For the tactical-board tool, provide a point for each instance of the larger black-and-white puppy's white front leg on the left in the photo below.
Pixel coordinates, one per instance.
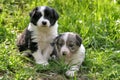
(39, 58)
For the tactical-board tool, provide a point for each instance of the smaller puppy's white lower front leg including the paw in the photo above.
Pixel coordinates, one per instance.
(72, 71)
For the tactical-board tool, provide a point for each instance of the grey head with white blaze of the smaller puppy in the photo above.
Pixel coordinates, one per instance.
(67, 44)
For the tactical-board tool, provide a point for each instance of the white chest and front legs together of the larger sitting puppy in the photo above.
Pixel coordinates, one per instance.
(43, 36)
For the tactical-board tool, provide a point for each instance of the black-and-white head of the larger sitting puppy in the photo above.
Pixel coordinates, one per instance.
(43, 16)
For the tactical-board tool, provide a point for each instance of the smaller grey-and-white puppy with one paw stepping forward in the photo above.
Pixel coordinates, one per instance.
(70, 48)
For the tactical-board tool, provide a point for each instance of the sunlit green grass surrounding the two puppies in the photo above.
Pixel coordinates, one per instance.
(97, 21)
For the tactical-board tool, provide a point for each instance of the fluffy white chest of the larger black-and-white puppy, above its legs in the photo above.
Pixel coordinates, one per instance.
(43, 35)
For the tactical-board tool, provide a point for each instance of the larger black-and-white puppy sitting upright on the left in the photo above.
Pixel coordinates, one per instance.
(40, 33)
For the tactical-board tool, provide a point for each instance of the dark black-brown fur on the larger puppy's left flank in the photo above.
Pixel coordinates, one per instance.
(25, 42)
